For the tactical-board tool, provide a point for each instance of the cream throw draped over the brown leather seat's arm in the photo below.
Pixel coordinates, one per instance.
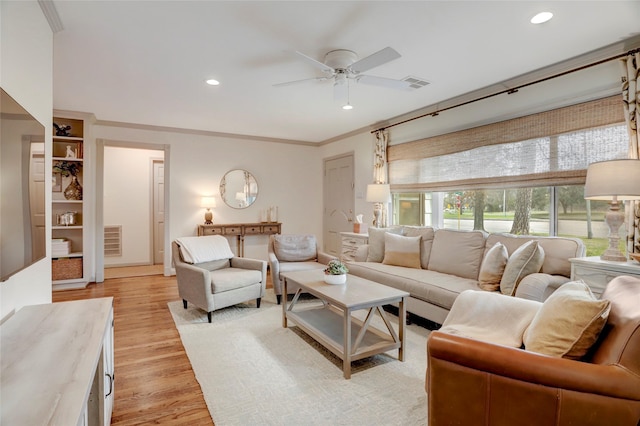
(490, 317)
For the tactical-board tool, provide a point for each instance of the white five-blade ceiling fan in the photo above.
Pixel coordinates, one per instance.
(343, 65)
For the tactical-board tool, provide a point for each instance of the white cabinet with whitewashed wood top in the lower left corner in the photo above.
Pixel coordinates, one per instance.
(56, 364)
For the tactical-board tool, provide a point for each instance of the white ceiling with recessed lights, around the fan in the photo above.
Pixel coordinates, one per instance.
(146, 62)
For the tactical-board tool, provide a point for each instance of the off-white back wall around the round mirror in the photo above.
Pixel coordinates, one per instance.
(289, 176)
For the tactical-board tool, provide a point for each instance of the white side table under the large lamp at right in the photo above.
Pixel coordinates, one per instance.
(597, 272)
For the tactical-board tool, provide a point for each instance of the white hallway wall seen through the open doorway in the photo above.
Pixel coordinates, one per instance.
(127, 201)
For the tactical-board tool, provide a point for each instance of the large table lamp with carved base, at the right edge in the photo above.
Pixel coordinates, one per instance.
(613, 181)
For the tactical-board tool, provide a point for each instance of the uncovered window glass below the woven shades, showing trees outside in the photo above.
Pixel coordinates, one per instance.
(559, 210)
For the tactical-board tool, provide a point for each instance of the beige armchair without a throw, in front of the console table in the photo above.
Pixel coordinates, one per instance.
(293, 252)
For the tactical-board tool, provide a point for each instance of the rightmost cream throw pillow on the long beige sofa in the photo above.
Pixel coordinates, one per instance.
(527, 259)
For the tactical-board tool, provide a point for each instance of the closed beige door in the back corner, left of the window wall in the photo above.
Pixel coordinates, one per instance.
(339, 201)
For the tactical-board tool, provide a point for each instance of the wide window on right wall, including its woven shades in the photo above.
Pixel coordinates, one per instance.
(523, 175)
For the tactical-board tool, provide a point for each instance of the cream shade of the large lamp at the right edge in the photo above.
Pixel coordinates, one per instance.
(614, 178)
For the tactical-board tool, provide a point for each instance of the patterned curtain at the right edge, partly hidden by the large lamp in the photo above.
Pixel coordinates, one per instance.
(631, 100)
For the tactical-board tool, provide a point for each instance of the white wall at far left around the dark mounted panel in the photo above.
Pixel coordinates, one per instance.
(26, 73)
